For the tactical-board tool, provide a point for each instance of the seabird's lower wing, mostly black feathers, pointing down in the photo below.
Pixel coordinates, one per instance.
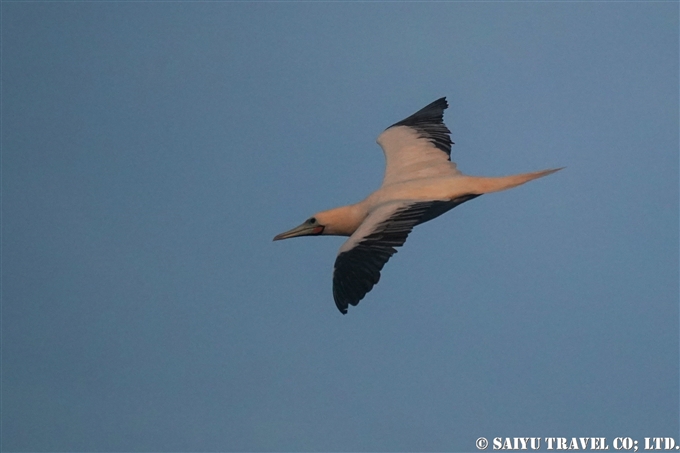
(362, 257)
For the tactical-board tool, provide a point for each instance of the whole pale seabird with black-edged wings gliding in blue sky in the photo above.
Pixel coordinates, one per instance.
(420, 183)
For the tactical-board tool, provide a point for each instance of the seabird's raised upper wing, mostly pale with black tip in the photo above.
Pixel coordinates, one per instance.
(418, 146)
